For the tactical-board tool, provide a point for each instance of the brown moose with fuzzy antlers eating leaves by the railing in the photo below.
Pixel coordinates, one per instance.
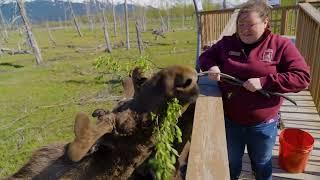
(121, 139)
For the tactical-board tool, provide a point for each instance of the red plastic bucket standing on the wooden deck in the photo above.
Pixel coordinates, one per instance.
(295, 147)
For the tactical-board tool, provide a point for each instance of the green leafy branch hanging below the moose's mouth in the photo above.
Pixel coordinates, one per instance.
(165, 134)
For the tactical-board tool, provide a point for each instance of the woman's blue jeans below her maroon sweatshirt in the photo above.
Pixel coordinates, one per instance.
(259, 139)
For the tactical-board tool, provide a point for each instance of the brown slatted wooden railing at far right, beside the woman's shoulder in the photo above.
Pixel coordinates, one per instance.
(308, 42)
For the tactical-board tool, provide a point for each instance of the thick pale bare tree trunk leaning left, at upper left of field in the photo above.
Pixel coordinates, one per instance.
(30, 36)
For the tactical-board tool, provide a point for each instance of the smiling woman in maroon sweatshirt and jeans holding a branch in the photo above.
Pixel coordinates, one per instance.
(264, 61)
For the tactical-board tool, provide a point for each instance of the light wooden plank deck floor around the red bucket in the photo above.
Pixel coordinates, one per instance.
(305, 117)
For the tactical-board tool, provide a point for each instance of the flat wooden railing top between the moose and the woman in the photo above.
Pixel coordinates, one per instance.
(208, 157)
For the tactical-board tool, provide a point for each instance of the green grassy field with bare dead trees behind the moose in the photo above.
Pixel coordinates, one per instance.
(38, 103)
